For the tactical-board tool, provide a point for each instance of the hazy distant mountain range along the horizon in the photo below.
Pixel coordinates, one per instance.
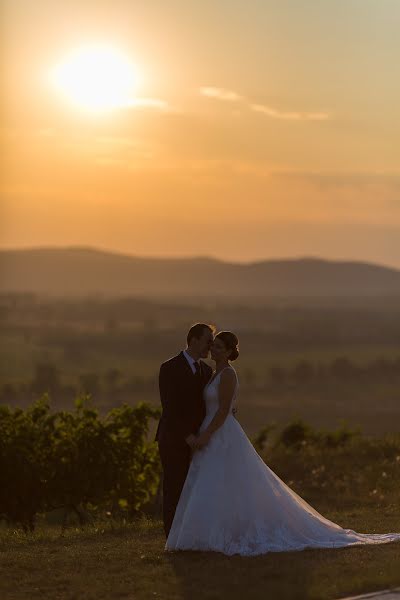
(81, 271)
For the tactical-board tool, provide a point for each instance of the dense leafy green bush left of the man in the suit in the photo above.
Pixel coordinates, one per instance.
(75, 460)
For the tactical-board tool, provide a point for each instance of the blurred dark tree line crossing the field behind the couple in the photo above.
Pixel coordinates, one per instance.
(116, 384)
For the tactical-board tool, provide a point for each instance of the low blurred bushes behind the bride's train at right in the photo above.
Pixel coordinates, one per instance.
(336, 467)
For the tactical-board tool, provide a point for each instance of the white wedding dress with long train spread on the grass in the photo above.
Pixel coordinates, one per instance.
(233, 503)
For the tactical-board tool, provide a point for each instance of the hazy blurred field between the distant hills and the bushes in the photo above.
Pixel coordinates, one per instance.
(319, 359)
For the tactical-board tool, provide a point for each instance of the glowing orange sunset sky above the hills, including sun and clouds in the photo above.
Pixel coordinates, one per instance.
(237, 129)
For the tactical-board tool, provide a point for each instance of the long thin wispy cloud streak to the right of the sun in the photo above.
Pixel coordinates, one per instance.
(274, 113)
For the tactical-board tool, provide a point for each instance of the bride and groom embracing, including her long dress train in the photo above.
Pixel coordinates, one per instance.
(218, 494)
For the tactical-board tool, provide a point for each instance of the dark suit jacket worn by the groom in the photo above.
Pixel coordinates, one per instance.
(181, 394)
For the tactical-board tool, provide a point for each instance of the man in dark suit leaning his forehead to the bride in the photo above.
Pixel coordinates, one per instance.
(182, 380)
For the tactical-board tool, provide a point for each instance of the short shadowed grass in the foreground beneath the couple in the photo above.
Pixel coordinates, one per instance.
(110, 561)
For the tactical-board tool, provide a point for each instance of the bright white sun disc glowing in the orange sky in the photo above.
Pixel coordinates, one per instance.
(97, 78)
